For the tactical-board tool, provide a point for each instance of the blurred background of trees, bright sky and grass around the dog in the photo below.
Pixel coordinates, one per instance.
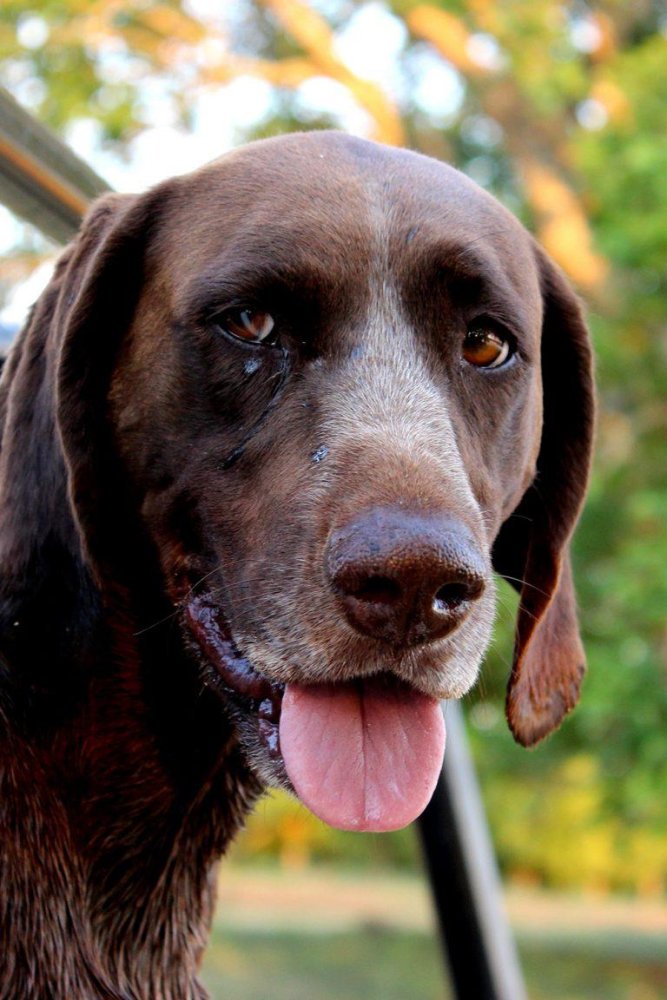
(559, 109)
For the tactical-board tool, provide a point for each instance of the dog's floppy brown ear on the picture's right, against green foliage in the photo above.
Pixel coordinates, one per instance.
(532, 547)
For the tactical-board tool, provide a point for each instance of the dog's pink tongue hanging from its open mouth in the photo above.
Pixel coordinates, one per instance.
(362, 755)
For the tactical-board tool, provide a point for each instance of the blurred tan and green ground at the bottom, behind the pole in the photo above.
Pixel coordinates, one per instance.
(329, 934)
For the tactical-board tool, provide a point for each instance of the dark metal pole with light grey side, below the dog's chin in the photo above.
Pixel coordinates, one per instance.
(460, 861)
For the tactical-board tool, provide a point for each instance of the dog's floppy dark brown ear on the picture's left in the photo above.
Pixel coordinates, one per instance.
(97, 311)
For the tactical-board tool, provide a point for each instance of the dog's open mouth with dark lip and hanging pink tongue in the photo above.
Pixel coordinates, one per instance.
(362, 754)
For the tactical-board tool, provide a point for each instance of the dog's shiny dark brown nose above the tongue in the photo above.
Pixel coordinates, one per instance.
(403, 577)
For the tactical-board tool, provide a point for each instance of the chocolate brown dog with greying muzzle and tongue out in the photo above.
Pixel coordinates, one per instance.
(265, 437)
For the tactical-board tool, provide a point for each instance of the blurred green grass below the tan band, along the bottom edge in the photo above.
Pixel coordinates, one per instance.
(379, 963)
